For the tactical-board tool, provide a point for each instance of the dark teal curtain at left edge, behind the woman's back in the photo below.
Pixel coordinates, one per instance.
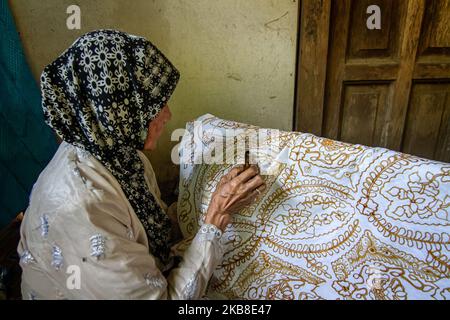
(26, 143)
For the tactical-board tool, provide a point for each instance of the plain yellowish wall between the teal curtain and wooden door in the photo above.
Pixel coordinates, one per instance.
(236, 57)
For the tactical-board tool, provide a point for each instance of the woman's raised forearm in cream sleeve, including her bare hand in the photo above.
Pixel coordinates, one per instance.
(234, 191)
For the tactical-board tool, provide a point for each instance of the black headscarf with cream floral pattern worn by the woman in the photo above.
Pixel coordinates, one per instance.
(100, 95)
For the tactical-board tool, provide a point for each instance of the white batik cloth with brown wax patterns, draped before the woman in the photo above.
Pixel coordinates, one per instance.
(337, 221)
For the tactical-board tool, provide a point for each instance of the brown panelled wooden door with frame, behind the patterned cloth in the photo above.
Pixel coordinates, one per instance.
(387, 87)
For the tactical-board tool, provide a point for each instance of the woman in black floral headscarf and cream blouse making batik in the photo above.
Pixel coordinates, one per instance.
(96, 227)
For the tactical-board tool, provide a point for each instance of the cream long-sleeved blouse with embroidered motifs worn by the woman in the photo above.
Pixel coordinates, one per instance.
(80, 239)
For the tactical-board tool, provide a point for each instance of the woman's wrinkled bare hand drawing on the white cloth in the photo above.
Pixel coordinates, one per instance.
(235, 190)
